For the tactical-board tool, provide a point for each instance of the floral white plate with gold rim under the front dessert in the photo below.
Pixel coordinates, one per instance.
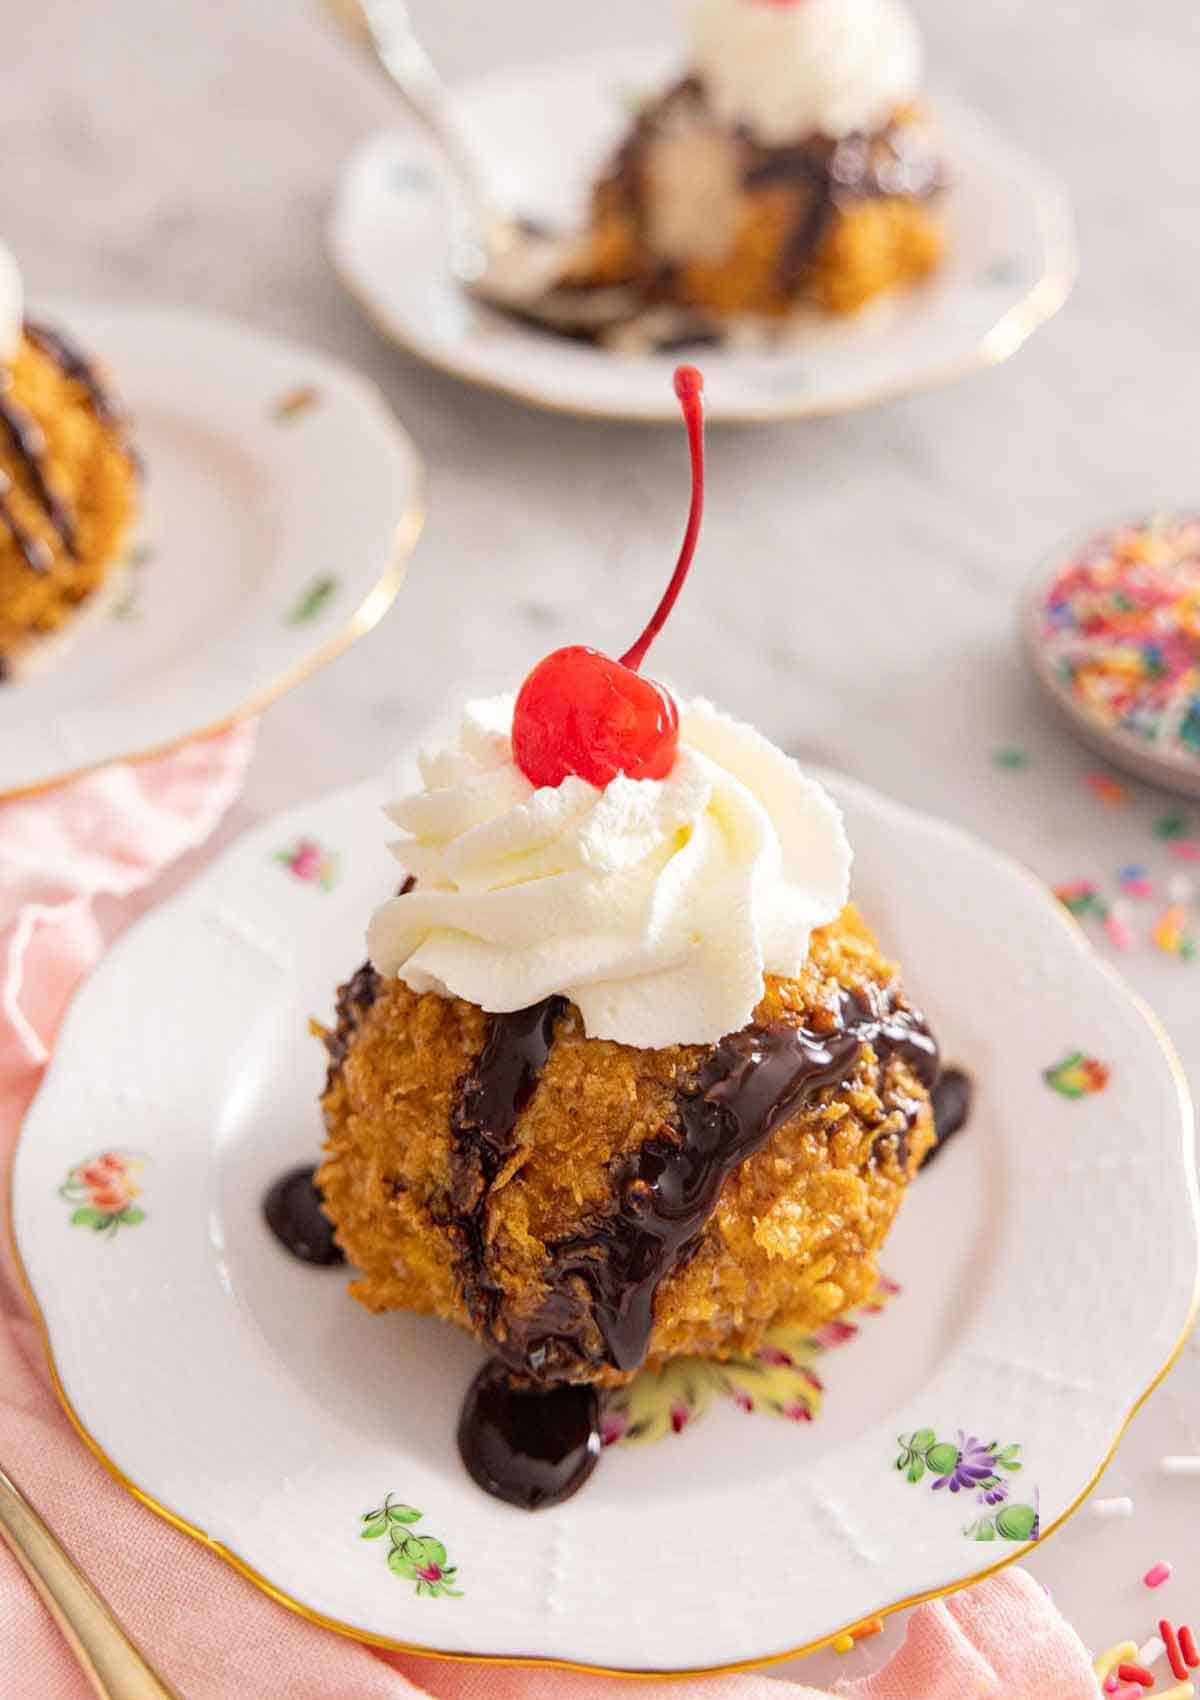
(251, 1402)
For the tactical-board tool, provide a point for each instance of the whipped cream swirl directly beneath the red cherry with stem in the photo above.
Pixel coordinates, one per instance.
(655, 905)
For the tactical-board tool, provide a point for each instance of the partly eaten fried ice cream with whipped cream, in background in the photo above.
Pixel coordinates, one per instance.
(791, 167)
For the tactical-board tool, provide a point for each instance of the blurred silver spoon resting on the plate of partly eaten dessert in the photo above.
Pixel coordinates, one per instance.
(494, 254)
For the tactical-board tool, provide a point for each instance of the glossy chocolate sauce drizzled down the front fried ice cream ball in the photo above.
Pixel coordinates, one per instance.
(599, 1306)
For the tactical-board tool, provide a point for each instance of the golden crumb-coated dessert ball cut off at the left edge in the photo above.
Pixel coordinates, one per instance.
(96, 480)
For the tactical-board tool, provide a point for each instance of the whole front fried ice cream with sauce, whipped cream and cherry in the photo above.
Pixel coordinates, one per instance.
(625, 1077)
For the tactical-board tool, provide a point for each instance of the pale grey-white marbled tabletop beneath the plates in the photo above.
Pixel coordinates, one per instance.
(858, 586)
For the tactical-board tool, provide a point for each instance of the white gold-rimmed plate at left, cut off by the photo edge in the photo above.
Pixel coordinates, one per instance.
(273, 538)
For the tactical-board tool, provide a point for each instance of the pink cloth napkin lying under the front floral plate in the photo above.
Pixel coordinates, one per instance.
(212, 1633)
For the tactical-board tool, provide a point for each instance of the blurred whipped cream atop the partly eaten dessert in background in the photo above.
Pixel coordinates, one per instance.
(788, 69)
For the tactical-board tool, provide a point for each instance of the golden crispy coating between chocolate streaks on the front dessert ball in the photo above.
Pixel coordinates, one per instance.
(793, 1240)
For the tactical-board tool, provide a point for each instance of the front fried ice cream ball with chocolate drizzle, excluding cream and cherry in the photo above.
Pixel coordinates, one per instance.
(586, 1208)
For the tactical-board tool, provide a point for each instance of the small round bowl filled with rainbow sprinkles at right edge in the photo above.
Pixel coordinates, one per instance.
(1123, 630)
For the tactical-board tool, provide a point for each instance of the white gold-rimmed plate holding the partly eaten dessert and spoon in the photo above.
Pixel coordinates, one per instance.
(545, 132)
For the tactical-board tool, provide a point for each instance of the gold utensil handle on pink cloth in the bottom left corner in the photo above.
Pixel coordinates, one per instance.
(110, 1660)
